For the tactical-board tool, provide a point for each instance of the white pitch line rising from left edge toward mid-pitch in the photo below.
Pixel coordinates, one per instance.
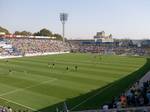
(22, 89)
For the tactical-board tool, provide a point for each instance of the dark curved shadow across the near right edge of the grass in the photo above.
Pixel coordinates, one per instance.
(95, 98)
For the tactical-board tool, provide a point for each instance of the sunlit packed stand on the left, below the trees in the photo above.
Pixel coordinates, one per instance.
(22, 46)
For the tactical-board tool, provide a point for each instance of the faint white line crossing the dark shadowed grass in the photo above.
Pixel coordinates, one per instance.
(89, 98)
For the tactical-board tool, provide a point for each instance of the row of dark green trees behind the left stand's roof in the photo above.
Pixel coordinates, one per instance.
(42, 32)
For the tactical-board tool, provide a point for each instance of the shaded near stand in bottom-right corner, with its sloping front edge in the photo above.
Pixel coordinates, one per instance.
(136, 99)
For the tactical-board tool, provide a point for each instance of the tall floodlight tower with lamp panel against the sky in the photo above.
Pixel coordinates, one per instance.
(63, 19)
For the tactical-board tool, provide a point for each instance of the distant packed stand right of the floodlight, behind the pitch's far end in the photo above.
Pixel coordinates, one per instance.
(117, 48)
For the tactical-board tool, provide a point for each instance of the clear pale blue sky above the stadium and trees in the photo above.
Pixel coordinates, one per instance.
(121, 18)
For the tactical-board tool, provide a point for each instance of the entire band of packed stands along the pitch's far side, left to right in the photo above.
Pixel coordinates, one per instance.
(24, 45)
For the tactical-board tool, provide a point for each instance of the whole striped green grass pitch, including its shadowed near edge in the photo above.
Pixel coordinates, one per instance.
(29, 83)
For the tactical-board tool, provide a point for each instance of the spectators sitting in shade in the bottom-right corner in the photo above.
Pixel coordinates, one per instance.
(138, 95)
